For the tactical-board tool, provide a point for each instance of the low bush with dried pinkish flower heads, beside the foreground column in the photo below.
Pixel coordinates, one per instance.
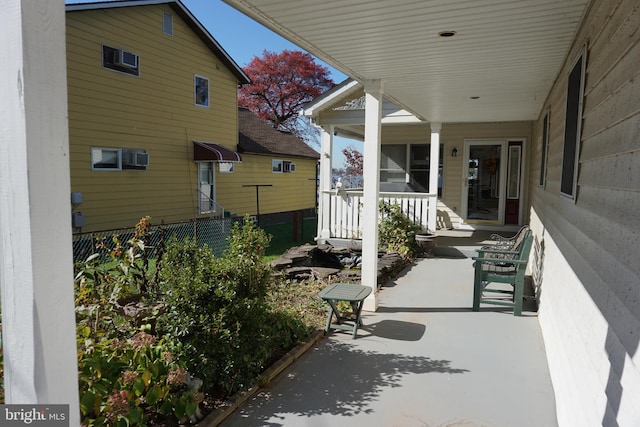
(124, 382)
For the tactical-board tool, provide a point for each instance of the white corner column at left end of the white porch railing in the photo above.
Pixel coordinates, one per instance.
(326, 165)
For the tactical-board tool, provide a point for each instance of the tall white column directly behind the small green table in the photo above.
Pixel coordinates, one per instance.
(371, 174)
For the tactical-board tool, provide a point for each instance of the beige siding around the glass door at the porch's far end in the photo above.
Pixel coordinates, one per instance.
(453, 135)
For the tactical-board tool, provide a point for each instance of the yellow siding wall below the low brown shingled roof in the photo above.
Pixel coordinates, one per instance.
(289, 191)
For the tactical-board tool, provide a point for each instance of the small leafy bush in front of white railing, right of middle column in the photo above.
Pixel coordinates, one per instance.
(396, 232)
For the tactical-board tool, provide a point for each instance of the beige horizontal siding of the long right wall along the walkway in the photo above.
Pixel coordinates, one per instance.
(590, 282)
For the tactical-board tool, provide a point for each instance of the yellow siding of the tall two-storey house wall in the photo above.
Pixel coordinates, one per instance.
(154, 112)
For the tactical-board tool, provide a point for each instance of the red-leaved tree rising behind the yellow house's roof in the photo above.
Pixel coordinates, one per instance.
(281, 83)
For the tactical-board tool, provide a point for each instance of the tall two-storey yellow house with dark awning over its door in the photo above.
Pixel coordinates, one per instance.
(153, 122)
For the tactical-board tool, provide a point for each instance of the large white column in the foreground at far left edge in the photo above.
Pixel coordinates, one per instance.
(36, 262)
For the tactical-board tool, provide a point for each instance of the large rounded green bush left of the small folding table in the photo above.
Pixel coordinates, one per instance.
(217, 309)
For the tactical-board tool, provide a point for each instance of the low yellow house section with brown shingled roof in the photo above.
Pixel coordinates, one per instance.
(280, 163)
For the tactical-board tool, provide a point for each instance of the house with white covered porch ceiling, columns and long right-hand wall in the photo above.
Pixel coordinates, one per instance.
(547, 92)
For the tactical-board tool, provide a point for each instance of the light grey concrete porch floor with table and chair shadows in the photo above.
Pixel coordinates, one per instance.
(423, 359)
